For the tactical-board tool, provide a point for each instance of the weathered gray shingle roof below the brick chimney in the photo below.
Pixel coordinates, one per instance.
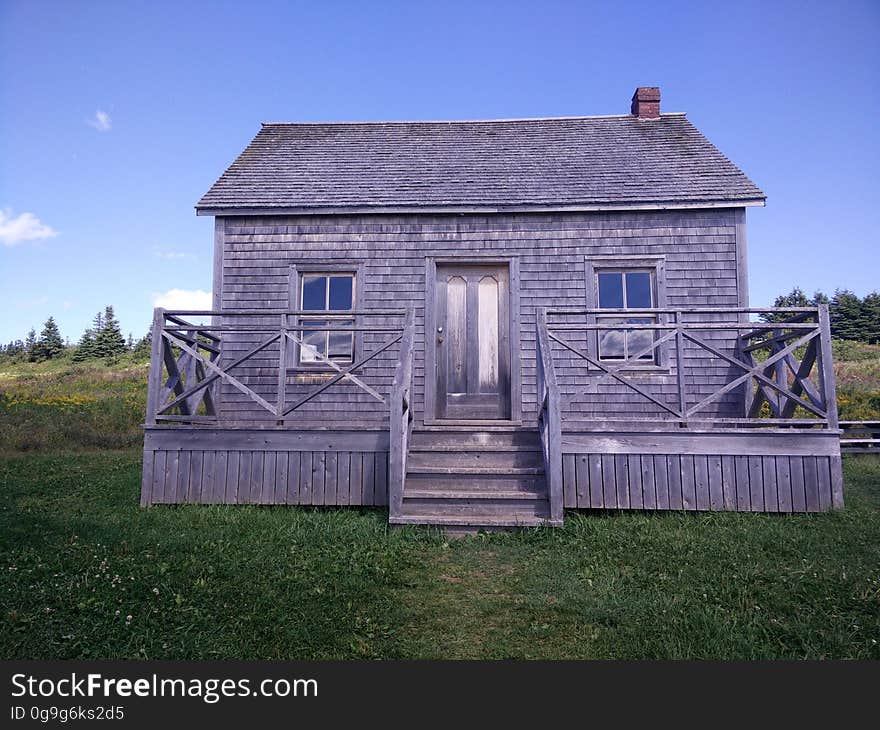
(503, 164)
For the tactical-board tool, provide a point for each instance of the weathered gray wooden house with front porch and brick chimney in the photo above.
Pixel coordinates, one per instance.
(485, 323)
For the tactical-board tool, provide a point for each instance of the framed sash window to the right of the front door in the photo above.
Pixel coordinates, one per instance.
(621, 283)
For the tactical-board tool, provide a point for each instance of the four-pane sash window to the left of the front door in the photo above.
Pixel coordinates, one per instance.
(326, 292)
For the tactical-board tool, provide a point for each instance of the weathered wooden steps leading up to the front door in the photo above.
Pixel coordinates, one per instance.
(468, 478)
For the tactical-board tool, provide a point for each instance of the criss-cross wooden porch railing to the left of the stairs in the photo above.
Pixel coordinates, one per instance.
(189, 360)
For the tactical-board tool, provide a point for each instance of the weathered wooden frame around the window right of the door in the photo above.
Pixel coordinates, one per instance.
(654, 265)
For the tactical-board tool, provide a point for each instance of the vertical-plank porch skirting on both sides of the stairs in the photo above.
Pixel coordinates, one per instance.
(772, 471)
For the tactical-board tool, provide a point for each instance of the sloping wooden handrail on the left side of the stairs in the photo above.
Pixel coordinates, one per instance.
(401, 419)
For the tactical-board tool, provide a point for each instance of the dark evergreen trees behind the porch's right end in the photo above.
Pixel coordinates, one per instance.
(852, 317)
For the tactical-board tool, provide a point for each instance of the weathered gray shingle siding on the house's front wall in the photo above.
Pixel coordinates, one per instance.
(700, 270)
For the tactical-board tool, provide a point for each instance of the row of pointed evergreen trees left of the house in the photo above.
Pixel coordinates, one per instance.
(102, 340)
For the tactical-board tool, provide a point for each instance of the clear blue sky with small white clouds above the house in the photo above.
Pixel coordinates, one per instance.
(116, 116)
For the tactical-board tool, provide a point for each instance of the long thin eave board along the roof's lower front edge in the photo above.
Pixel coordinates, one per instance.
(260, 210)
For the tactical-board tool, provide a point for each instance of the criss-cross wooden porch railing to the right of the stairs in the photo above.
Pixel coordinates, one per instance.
(780, 370)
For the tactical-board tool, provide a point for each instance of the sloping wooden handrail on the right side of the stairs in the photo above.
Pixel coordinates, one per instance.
(549, 417)
